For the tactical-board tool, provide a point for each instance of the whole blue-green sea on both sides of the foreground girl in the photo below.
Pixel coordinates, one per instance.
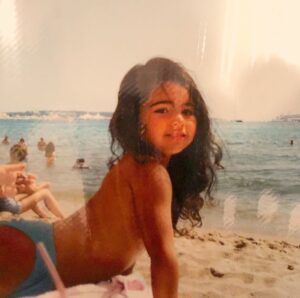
(258, 191)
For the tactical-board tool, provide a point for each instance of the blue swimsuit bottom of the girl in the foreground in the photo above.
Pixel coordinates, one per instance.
(39, 280)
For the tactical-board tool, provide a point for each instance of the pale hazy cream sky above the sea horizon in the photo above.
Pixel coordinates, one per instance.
(72, 54)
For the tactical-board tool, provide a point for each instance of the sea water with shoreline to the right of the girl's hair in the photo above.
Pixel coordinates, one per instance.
(259, 189)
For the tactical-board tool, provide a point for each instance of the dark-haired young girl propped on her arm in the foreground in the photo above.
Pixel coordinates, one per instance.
(163, 158)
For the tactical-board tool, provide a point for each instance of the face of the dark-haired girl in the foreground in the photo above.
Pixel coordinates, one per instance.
(169, 119)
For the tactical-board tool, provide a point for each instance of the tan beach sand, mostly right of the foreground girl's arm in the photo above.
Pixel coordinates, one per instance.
(216, 263)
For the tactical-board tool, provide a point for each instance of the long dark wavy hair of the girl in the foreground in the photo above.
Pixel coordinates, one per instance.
(192, 171)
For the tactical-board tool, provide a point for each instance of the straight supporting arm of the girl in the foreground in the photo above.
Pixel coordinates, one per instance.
(153, 197)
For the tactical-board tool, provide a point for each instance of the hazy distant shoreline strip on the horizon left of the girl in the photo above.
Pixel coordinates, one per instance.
(67, 116)
